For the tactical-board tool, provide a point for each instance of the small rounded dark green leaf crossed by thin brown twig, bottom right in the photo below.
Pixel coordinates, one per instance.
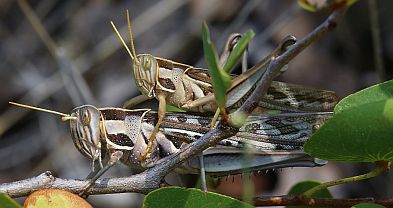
(303, 186)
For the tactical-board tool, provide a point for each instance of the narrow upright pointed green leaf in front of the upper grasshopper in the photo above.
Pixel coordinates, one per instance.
(221, 81)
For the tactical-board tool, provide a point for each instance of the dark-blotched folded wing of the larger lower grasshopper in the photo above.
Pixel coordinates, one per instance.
(263, 132)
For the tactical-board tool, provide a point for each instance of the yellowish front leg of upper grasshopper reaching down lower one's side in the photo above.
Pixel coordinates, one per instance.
(161, 115)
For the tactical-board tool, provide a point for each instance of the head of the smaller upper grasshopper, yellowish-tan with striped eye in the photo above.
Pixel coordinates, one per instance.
(145, 68)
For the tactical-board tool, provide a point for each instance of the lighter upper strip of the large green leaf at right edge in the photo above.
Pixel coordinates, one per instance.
(379, 92)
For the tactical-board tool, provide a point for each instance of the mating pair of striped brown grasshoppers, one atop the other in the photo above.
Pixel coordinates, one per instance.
(127, 134)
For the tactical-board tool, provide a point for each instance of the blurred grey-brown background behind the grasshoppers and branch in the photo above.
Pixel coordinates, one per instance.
(81, 61)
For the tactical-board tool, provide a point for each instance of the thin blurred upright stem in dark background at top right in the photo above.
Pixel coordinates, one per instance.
(377, 42)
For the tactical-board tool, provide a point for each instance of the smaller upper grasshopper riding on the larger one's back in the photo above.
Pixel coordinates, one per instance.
(190, 88)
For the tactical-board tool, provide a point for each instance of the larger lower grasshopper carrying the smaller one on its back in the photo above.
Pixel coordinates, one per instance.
(276, 140)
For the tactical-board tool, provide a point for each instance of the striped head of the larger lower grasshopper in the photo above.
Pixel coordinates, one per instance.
(86, 131)
